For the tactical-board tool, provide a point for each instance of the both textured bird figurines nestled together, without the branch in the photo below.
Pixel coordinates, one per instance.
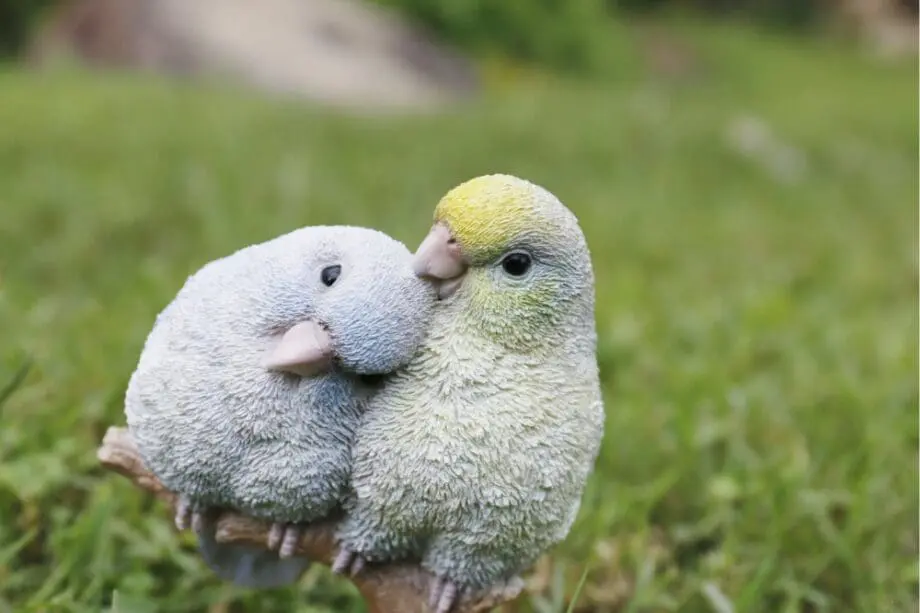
(447, 402)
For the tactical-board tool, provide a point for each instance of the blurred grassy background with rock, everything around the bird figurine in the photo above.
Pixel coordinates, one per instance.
(746, 174)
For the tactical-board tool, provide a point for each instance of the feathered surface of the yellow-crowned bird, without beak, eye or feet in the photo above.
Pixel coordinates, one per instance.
(474, 457)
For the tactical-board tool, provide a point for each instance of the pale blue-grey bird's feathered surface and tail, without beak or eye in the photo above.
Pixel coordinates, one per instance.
(217, 427)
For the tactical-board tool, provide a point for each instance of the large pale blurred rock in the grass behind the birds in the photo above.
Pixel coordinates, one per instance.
(341, 52)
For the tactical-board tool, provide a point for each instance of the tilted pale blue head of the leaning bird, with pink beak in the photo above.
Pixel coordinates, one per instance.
(351, 300)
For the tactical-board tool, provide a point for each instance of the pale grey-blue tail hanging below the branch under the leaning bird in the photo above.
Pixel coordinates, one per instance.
(249, 567)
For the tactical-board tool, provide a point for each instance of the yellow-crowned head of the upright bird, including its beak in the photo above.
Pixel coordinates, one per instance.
(513, 254)
